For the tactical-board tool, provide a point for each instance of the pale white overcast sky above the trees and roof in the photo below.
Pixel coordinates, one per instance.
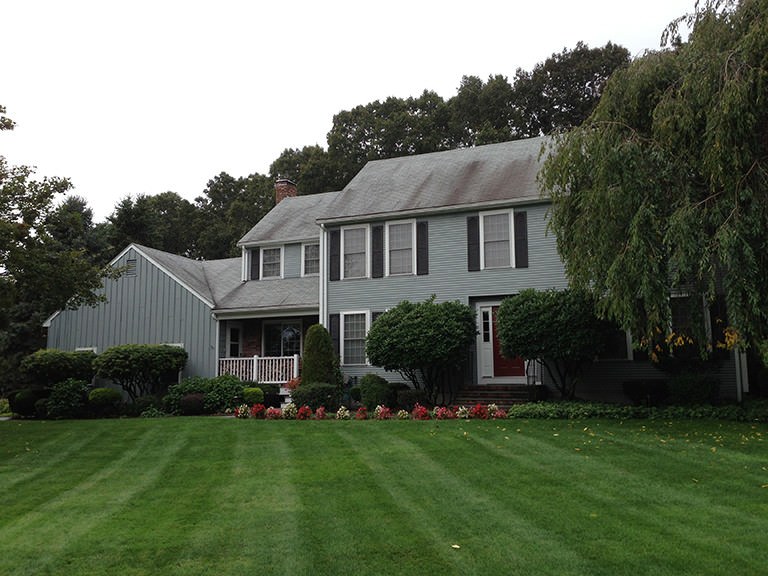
(144, 97)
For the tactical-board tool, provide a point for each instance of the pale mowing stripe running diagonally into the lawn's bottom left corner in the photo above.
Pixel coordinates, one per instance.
(75, 514)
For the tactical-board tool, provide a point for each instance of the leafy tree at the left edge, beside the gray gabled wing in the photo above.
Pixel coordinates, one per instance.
(43, 267)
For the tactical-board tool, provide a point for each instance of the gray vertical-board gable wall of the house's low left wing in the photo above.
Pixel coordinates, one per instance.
(150, 308)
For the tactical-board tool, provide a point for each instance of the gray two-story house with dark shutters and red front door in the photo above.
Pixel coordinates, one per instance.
(467, 225)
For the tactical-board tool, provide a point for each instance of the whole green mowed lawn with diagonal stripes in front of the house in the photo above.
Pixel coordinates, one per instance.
(224, 496)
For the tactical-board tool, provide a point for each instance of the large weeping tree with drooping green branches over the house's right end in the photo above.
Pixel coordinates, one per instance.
(663, 190)
